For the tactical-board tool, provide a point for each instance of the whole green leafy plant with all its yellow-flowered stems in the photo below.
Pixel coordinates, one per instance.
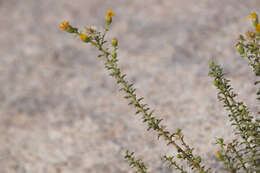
(242, 154)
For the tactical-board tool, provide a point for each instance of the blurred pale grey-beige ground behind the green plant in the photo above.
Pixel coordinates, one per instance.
(60, 112)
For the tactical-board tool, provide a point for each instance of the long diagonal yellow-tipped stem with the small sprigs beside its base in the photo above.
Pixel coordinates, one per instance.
(176, 139)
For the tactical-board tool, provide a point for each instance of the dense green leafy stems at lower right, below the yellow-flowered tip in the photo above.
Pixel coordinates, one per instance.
(244, 151)
